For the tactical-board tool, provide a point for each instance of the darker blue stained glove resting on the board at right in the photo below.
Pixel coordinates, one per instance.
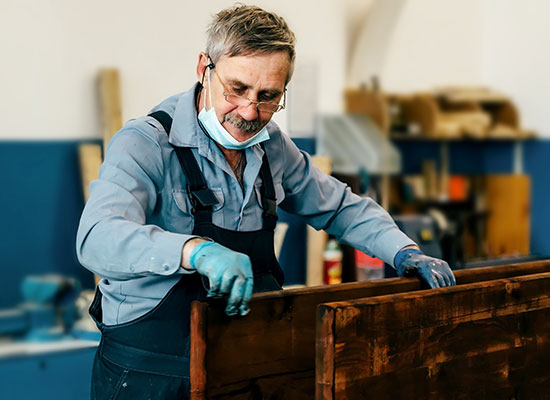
(435, 272)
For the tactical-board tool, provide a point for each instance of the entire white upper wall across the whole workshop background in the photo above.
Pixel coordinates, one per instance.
(51, 51)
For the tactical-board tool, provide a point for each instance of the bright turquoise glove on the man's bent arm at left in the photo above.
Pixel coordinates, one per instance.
(229, 272)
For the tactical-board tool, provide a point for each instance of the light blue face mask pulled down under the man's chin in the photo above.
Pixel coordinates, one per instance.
(216, 131)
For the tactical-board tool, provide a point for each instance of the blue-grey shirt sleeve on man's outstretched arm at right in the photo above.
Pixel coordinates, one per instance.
(328, 204)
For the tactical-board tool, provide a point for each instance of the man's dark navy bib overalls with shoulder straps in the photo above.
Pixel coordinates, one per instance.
(148, 358)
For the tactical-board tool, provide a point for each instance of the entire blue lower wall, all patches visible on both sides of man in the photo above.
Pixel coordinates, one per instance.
(41, 201)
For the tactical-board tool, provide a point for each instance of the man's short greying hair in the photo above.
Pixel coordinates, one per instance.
(246, 30)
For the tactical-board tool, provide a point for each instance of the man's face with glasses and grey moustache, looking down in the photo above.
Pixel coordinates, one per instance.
(259, 77)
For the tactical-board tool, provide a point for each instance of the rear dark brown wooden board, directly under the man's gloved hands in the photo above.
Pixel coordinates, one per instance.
(272, 350)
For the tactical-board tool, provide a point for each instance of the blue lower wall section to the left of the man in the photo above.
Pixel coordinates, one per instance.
(40, 204)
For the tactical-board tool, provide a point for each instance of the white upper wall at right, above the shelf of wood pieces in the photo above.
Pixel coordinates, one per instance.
(420, 44)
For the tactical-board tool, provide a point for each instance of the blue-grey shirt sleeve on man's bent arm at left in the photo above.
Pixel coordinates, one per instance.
(113, 239)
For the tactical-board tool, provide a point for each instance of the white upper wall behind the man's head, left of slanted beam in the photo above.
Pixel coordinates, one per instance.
(51, 52)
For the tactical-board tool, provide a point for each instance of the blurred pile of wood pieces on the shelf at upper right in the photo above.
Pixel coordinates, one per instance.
(445, 113)
